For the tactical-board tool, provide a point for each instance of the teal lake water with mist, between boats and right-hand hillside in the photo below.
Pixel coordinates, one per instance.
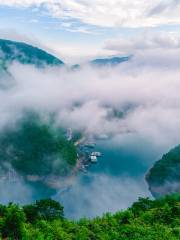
(116, 181)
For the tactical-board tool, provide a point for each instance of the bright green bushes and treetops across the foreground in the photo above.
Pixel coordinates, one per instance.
(145, 220)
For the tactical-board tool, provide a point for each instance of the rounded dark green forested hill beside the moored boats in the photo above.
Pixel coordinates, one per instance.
(35, 148)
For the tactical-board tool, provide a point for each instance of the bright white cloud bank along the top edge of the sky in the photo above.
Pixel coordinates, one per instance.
(104, 13)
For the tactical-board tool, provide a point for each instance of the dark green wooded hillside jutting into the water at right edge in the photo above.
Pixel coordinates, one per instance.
(164, 177)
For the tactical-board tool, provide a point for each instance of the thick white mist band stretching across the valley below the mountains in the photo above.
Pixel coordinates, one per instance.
(146, 94)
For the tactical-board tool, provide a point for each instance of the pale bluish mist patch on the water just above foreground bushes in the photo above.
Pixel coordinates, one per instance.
(102, 193)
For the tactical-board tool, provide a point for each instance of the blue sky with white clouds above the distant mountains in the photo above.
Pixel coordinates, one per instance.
(77, 30)
